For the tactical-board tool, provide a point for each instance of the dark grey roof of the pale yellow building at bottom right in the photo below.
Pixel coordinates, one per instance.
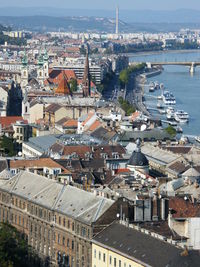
(143, 248)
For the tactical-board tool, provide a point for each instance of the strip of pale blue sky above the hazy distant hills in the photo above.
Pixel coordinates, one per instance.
(106, 4)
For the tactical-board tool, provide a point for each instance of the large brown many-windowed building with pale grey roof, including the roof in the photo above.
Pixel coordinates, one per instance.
(59, 221)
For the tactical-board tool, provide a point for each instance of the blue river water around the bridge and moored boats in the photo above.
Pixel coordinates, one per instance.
(178, 80)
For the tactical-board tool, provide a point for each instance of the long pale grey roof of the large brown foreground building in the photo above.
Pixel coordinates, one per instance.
(71, 201)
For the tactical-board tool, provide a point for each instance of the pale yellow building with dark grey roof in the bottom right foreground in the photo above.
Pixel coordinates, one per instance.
(122, 246)
